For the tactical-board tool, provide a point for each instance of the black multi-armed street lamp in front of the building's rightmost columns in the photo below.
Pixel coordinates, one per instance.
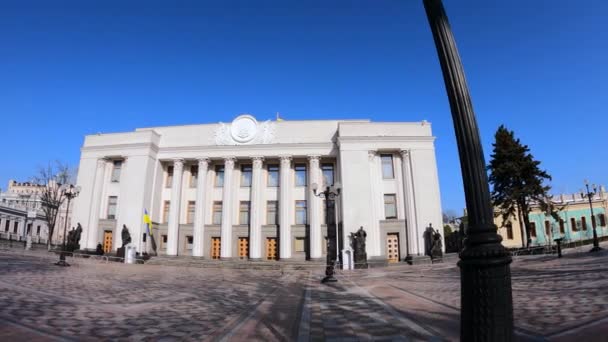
(330, 194)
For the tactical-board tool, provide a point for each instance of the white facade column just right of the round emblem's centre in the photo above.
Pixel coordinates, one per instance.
(255, 228)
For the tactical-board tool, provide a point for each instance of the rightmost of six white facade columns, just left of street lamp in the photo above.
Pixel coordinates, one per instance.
(314, 211)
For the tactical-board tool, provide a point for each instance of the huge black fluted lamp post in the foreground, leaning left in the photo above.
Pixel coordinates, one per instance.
(486, 311)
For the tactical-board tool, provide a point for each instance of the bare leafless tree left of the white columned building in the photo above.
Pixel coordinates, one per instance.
(52, 177)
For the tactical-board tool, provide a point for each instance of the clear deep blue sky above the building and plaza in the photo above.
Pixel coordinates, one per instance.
(68, 69)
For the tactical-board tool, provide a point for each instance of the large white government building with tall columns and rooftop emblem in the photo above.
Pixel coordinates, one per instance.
(244, 189)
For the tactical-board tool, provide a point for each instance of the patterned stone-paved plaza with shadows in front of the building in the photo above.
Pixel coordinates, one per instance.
(554, 299)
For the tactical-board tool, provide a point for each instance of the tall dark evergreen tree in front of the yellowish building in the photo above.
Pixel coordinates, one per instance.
(517, 180)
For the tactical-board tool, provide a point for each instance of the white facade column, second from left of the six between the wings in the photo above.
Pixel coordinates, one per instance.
(198, 232)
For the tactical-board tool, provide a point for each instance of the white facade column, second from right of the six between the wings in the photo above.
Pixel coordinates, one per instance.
(285, 206)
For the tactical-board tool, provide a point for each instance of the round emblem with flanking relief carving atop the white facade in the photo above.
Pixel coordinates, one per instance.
(245, 130)
